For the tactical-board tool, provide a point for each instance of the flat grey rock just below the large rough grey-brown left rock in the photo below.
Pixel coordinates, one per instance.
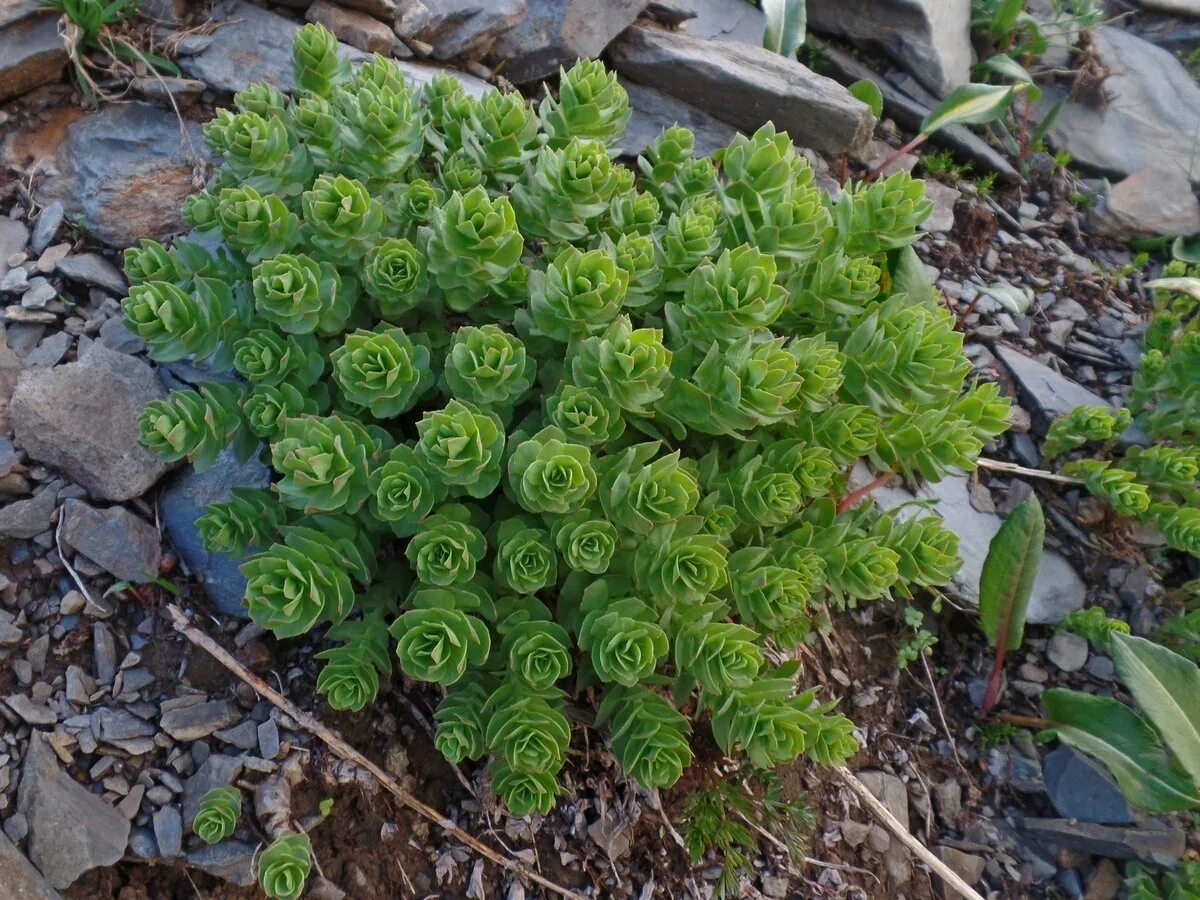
(115, 539)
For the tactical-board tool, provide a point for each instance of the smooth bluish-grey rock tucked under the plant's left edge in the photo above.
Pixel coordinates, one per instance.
(184, 502)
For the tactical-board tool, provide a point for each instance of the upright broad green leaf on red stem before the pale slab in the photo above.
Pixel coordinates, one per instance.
(1009, 573)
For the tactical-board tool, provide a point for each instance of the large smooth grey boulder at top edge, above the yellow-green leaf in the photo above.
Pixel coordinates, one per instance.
(931, 39)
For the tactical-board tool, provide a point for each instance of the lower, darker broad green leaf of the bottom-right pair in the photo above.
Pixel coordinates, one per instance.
(1126, 745)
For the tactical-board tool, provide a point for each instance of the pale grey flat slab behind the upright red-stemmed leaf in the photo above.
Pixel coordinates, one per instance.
(1058, 589)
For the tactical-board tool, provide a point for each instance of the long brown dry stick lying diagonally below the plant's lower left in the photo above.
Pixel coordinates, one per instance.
(335, 743)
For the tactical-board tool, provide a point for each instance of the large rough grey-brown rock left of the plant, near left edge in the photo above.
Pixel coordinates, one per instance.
(83, 419)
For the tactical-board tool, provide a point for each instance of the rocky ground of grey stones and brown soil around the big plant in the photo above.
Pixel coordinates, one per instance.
(113, 727)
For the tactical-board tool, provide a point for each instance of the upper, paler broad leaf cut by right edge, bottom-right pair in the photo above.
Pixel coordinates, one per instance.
(1167, 687)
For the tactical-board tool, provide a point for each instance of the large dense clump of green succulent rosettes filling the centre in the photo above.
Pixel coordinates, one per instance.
(553, 430)
